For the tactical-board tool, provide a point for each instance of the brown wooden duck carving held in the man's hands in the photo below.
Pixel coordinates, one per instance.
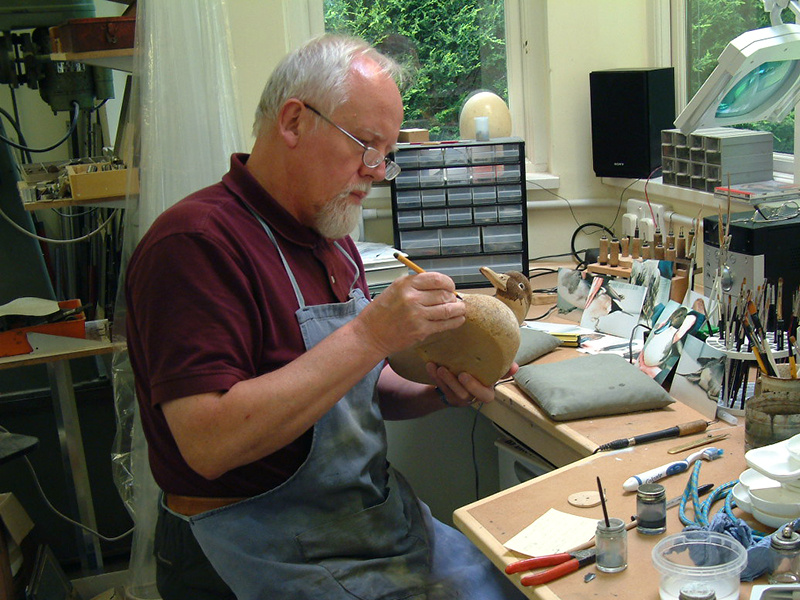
(485, 345)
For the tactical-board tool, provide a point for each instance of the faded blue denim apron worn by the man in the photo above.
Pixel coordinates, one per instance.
(346, 525)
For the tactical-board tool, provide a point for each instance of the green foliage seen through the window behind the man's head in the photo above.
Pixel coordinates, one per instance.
(450, 48)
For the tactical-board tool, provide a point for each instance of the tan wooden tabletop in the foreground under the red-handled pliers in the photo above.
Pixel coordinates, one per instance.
(491, 522)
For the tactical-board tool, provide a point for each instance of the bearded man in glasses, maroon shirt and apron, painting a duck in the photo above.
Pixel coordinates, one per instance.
(260, 363)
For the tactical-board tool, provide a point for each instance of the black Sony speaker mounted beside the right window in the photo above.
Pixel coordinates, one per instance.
(630, 107)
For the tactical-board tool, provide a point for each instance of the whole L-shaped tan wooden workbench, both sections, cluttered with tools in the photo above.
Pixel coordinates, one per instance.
(569, 445)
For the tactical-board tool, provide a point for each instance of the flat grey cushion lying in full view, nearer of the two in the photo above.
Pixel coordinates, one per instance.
(590, 386)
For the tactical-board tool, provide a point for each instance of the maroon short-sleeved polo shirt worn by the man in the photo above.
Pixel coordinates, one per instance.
(210, 303)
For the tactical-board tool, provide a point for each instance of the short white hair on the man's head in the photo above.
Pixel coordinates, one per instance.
(317, 73)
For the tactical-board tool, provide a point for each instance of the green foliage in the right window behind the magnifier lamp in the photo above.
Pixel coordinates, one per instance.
(714, 23)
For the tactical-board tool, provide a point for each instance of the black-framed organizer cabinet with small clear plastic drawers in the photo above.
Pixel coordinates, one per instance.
(458, 206)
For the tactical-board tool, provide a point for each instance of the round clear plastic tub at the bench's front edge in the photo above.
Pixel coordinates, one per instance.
(703, 556)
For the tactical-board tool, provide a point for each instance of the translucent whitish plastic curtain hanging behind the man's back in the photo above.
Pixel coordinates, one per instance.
(184, 126)
